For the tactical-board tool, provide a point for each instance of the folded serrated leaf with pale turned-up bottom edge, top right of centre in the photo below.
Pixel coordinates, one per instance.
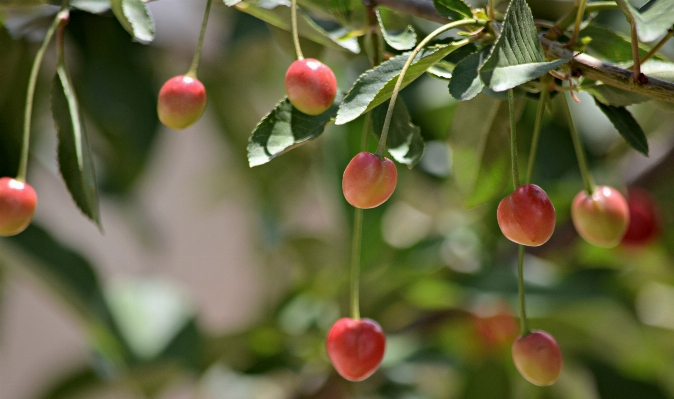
(517, 57)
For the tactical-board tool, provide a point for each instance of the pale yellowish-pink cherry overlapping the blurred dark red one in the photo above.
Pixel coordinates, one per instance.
(601, 218)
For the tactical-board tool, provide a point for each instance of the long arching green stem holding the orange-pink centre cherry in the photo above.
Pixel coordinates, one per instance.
(394, 96)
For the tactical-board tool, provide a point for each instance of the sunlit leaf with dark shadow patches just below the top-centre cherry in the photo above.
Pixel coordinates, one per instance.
(283, 129)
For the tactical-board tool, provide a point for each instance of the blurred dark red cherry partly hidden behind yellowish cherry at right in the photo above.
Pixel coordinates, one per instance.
(644, 225)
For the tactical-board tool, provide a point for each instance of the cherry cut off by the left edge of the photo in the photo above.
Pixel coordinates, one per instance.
(17, 206)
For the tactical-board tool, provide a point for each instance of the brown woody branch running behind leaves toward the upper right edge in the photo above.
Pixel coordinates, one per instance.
(582, 63)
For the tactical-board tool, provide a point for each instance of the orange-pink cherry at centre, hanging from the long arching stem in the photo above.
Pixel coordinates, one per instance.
(369, 181)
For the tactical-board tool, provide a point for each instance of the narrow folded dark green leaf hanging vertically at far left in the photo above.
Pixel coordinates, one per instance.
(75, 161)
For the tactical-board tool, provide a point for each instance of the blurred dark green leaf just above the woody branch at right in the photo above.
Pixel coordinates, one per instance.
(611, 45)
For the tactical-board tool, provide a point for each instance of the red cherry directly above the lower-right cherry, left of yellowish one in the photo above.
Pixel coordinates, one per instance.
(527, 216)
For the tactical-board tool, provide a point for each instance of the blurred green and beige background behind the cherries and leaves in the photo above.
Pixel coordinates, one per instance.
(215, 280)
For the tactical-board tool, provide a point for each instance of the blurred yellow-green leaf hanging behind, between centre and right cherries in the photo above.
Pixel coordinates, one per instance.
(478, 137)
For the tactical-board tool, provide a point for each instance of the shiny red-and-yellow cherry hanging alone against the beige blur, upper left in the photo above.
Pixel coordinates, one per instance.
(182, 101)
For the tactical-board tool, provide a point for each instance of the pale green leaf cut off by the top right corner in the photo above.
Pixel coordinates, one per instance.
(653, 21)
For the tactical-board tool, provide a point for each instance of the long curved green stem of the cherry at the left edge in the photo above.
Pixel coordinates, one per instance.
(30, 95)
